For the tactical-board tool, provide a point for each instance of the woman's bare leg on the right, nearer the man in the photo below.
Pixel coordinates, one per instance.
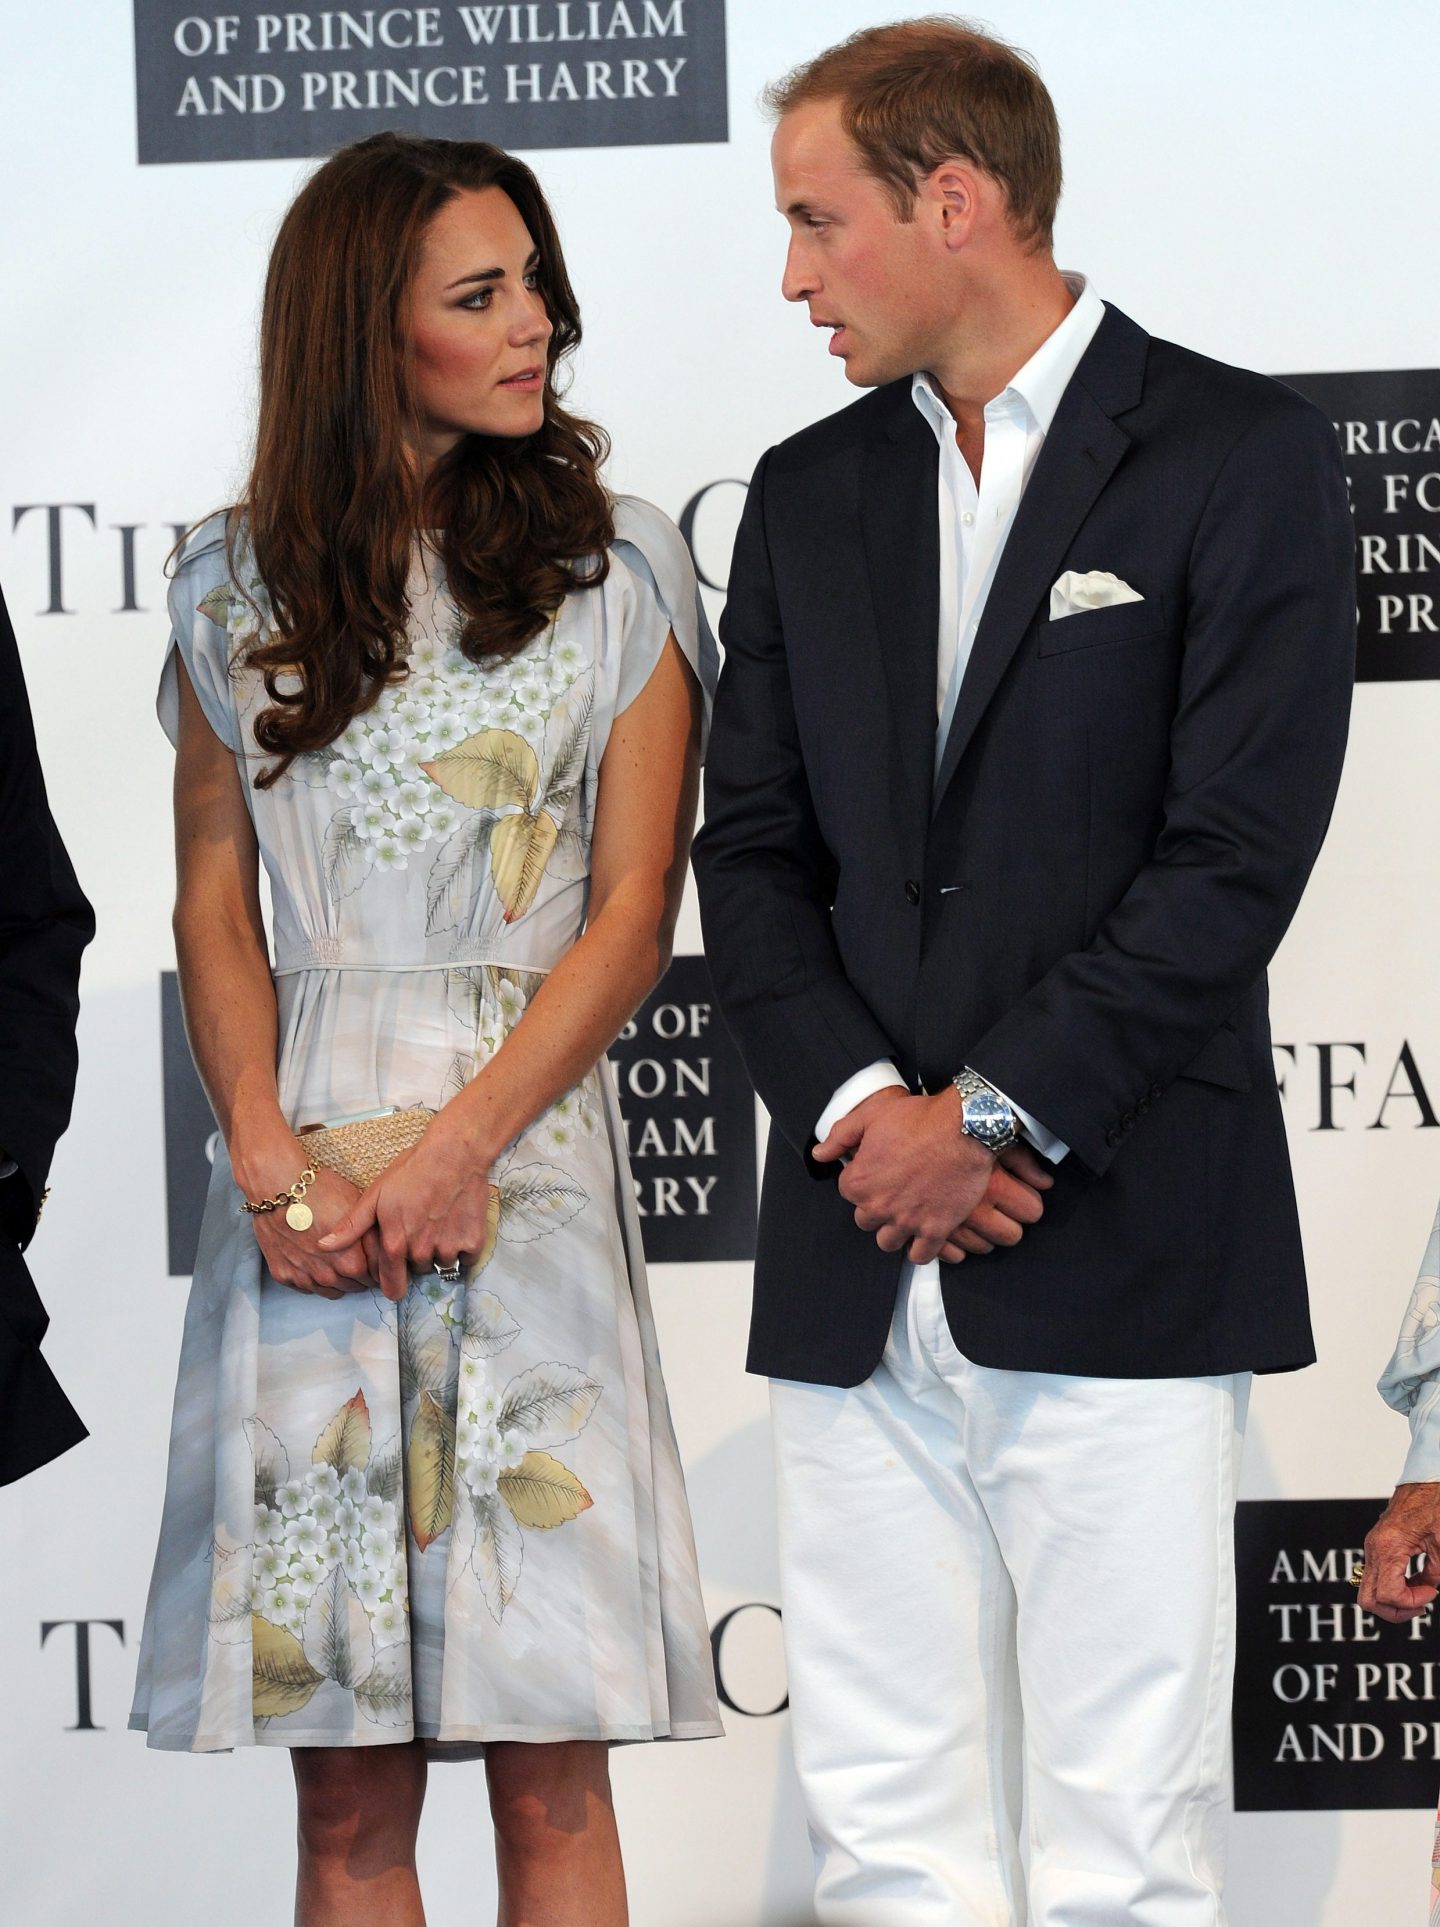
(556, 1845)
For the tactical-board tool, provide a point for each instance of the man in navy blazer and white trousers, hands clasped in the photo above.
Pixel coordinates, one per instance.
(1034, 710)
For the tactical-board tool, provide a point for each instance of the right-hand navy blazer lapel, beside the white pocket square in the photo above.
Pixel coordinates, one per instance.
(1080, 456)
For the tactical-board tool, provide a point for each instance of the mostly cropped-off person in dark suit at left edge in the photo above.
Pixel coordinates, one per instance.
(45, 926)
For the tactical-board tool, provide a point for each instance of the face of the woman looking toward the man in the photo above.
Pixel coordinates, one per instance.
(477, 327)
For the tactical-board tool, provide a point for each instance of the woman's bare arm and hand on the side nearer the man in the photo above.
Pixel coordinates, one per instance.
(433, 1205)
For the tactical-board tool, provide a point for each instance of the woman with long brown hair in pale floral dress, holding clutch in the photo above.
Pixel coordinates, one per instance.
(425, 1498)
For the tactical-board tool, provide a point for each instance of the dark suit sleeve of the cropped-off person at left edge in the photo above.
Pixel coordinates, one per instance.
(45, 926)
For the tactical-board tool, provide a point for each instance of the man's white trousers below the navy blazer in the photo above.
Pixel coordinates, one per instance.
(1009, 1616)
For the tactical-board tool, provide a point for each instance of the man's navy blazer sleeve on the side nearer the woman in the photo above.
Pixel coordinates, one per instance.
(766, 878)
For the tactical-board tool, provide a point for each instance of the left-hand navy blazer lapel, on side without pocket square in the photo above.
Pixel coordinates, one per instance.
(899, 515)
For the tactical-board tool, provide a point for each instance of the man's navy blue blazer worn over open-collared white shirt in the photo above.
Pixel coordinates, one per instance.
(1086, 903)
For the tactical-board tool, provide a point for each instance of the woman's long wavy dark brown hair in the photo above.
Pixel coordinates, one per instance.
(334, 498)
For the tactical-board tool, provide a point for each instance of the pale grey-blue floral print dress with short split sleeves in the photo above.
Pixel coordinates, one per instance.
(460, 1518)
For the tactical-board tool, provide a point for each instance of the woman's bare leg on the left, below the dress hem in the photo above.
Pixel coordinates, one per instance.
(360, 1812)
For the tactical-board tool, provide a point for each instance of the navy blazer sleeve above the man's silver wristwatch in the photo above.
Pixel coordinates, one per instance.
(1256, 756)
